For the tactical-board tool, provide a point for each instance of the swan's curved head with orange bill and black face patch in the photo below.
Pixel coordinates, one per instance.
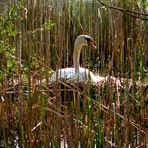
(85, 40)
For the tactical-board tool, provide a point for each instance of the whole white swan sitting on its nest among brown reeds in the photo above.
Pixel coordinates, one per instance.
(77, 72)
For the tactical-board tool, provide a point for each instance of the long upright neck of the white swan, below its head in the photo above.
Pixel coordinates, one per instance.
(76, 56)
